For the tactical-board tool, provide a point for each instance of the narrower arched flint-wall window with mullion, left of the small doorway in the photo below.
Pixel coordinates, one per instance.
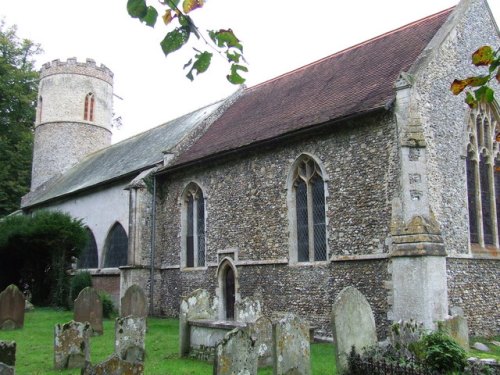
(193, 222)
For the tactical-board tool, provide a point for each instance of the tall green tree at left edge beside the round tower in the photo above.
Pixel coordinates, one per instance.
(18, 91)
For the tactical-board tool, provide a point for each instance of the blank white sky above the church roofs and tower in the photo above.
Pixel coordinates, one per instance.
(277, 35)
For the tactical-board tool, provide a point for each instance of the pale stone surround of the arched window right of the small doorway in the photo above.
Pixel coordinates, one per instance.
(292, 212)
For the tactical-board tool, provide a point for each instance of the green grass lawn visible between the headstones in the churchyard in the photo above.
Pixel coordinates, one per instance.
(35, 347)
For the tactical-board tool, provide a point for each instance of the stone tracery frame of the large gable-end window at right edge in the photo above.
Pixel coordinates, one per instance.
(483, 157)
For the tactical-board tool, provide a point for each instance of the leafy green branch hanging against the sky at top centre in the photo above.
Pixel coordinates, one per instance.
(223, 41)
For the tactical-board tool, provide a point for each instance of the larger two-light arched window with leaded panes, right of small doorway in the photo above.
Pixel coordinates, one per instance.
(309, 212)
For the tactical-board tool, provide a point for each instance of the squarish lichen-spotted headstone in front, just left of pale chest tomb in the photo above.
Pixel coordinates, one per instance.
(130, 335)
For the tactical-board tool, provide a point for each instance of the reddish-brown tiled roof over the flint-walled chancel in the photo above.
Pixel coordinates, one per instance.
(353, 81)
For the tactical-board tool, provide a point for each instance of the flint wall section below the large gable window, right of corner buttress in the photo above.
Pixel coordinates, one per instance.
(473, 286)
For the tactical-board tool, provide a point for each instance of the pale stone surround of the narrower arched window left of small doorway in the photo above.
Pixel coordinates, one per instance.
(193, 189)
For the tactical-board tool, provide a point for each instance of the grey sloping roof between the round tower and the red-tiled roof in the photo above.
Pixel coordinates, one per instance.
(121, 159)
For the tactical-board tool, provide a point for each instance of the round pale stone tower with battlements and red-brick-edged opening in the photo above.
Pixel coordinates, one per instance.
(73, 116)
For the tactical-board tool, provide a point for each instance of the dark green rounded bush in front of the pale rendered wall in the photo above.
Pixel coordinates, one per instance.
(37, 251)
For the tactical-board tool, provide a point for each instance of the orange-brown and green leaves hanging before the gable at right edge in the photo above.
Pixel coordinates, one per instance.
(478, 87)
